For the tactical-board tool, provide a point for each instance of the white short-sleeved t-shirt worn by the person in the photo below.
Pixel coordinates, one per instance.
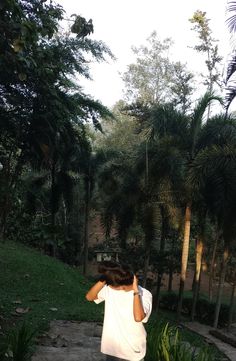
(122, 336)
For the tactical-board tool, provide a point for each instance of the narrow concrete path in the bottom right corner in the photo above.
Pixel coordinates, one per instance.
(203, 330)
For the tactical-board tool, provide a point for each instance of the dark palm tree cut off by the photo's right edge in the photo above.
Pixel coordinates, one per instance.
(216, 166)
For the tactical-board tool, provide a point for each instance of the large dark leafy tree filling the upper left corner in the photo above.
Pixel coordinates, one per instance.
(39, 97)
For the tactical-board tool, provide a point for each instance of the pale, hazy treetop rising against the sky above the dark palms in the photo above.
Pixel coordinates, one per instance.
(154, 78)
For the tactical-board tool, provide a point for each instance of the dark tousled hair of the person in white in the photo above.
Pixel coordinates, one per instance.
(116, 274)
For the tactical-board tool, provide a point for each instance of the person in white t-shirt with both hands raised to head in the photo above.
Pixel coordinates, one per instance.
(127, 307)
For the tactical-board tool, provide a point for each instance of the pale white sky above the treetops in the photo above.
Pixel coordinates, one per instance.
(121, 24)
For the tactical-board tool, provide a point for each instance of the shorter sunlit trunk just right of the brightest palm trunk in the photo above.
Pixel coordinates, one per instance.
(198, 265)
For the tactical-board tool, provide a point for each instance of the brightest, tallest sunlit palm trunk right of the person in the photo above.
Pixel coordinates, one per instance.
(184, 258)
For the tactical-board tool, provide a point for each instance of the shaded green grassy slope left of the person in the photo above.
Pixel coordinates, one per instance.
(37, 288)
